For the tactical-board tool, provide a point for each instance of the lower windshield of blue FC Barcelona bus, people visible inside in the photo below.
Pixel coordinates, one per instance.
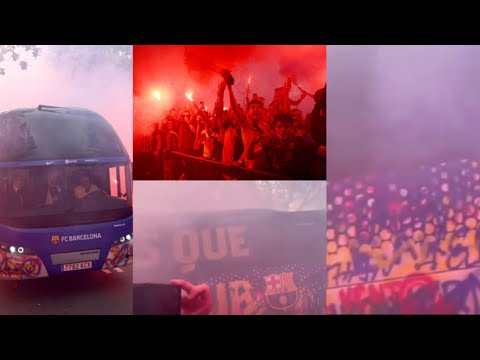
(39, 197)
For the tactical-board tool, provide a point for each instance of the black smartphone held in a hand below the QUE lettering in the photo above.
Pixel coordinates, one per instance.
(156, 299)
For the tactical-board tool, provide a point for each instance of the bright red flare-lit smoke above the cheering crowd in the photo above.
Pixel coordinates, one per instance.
(172, 70)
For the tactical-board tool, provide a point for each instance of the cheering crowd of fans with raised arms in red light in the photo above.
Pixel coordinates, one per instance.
(276, 138)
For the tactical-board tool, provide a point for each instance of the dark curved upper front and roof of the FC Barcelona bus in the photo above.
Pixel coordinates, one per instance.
(53, 132)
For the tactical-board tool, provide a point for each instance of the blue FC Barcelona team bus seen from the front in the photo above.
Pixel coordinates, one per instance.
(65, 193)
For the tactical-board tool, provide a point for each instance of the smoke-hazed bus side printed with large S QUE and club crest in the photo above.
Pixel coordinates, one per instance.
(255, 261)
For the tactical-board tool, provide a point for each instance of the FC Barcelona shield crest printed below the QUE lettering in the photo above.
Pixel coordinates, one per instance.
(281, 292)
